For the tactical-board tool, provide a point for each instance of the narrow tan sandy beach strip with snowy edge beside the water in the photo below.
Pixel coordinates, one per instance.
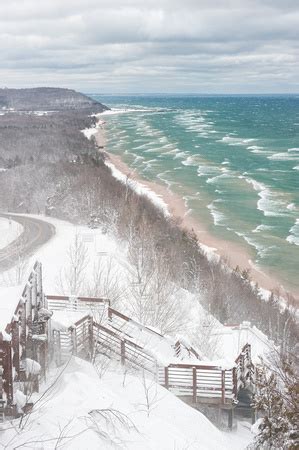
(232, 254)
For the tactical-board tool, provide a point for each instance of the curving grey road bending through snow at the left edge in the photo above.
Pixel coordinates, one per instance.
(35, 233)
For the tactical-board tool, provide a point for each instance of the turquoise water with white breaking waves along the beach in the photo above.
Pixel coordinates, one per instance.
(234, 160)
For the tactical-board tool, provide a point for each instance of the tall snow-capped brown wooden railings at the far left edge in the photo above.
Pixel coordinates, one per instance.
(23, 338)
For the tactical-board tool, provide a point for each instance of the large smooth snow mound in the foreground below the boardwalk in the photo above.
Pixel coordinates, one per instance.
(78, 393)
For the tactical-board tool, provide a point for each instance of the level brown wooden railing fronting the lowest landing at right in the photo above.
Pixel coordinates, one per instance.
(203, 383)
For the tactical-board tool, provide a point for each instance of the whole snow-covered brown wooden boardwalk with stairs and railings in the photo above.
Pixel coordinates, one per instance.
(87, 327)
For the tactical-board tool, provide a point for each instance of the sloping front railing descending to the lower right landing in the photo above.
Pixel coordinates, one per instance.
(110, 342)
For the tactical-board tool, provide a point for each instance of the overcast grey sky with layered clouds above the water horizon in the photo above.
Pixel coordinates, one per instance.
(192, 46)
